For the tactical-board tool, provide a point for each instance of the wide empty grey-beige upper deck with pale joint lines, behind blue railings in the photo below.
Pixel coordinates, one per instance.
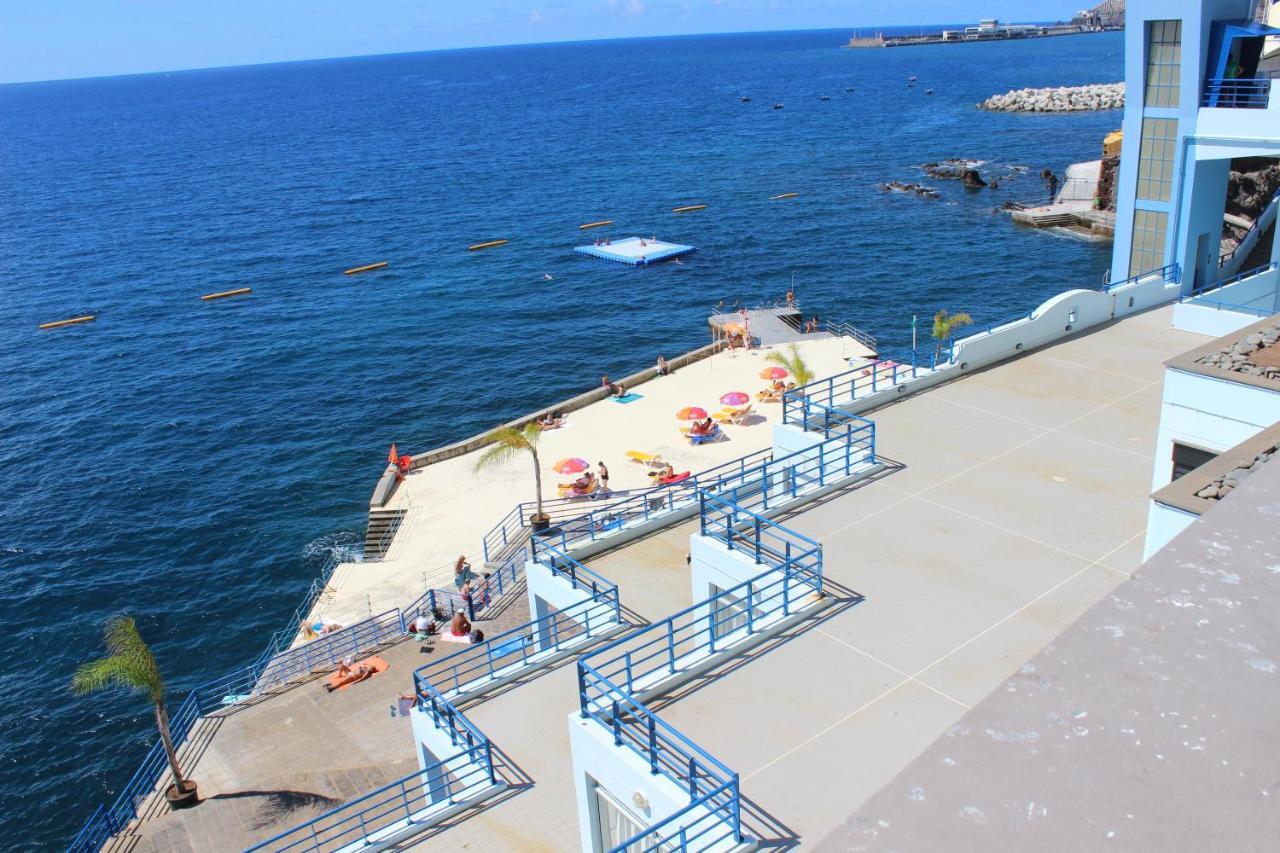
(948, 574)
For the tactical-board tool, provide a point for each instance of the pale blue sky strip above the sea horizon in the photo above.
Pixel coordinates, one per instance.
(63, 39)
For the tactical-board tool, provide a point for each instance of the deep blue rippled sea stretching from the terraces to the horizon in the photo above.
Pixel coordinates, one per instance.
(193, 464)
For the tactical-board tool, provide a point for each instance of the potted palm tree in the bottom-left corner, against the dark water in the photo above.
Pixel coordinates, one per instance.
(132, 665)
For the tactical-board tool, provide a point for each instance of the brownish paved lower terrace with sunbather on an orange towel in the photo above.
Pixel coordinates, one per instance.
(272, 764)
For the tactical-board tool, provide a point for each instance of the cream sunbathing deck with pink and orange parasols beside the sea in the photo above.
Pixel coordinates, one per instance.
(450, 507)
